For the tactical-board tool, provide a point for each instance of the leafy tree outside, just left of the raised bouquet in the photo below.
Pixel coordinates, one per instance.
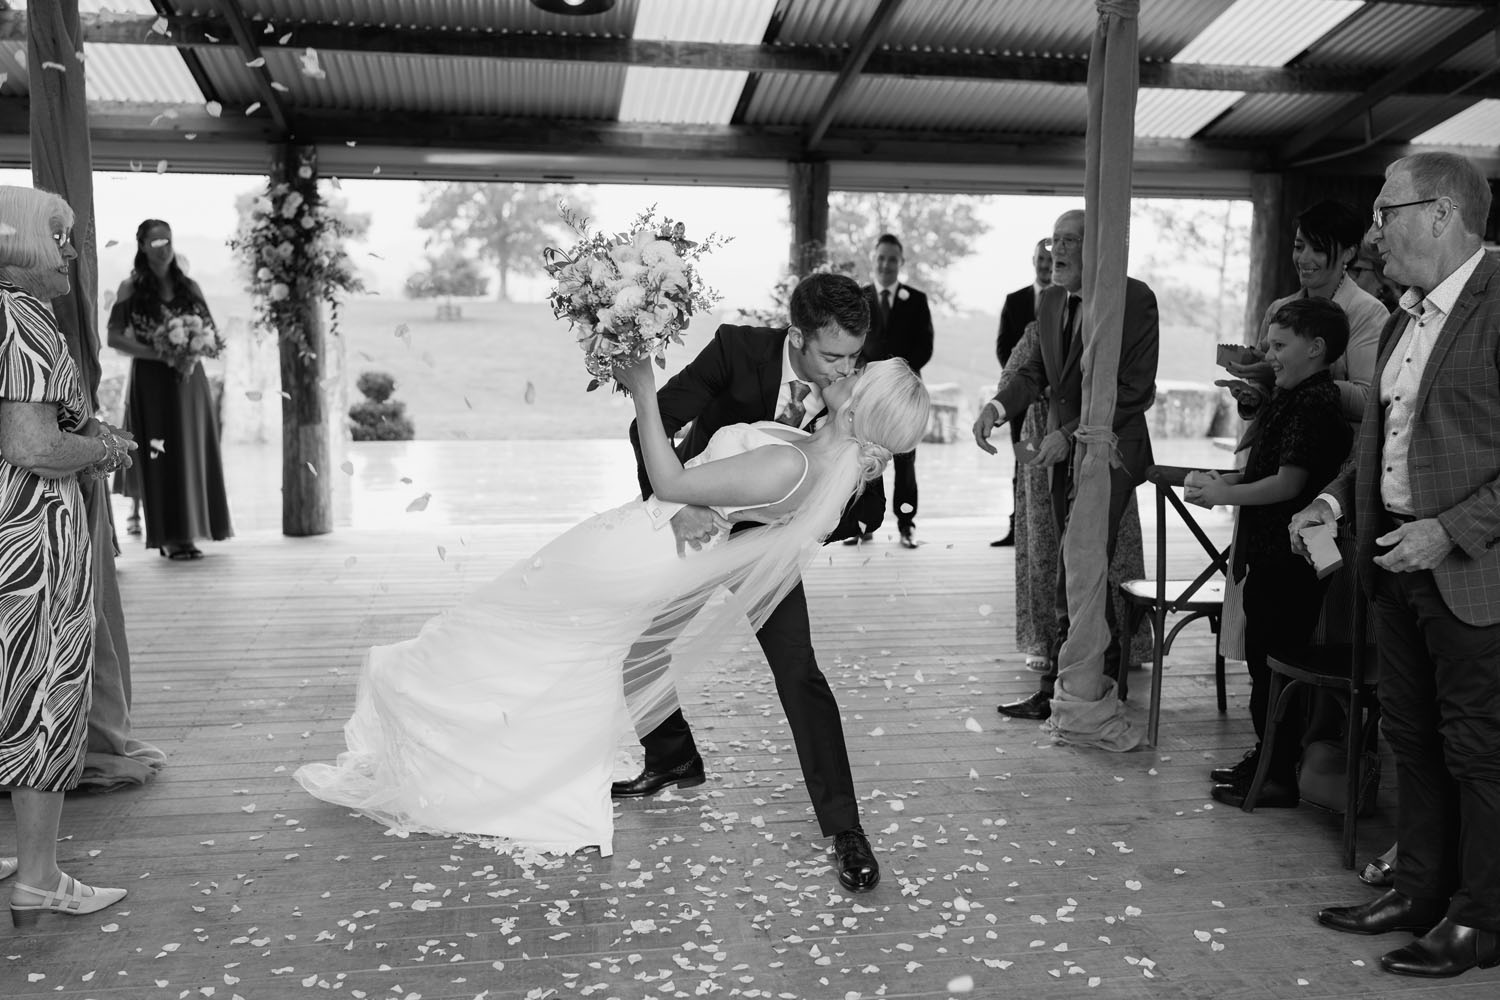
(505, 226)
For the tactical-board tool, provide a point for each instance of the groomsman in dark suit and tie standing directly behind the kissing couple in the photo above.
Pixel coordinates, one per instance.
(901, 328)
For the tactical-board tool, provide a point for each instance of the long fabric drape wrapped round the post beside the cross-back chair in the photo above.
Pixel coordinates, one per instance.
(1085, 708)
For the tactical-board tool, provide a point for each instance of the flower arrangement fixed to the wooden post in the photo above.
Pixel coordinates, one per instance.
(292, 248)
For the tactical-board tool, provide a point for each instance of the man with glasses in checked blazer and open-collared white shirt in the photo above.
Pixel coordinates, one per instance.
(1423, 494)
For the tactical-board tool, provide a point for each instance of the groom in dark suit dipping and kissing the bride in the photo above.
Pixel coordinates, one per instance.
(749, 374)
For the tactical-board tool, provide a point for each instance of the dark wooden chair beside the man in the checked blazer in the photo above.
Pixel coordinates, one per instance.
(1348, 671)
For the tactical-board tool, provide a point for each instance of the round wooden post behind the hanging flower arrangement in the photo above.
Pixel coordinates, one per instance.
(307, 484)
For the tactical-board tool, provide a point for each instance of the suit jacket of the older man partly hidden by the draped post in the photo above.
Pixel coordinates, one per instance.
(1058, 367)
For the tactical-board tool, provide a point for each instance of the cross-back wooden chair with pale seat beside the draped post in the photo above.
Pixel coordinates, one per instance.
(1162, 597)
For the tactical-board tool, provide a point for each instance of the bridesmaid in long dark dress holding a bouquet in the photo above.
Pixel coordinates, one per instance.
(179, 476)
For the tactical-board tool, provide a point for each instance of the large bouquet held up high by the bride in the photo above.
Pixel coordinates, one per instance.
(628, 295)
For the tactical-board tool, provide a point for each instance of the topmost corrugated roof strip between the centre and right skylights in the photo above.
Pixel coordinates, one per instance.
(1027, 28)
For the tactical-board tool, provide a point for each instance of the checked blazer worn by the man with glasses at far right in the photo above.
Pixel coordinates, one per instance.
(1454, 460)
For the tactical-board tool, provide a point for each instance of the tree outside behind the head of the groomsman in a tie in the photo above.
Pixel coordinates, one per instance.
(935, 233)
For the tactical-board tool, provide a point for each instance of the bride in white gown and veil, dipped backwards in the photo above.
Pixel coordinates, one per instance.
(502, 719)
